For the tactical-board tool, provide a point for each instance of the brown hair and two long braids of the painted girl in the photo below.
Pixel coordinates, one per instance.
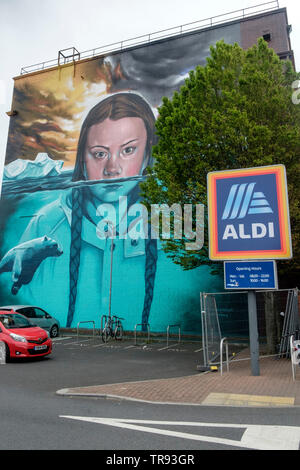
(114, 107)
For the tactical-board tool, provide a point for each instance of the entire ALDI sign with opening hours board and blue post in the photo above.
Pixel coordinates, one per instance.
(248, 219)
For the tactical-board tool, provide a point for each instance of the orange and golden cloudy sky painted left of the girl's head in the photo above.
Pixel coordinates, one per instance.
(52, 107)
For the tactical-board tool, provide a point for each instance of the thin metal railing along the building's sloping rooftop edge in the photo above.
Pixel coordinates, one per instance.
(64, 57)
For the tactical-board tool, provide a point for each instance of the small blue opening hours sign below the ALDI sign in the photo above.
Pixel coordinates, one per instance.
(250, 275)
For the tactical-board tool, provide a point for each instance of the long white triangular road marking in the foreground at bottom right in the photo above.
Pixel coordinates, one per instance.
(258, 437)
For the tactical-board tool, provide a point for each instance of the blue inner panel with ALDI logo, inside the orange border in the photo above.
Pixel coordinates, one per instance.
(248, 217)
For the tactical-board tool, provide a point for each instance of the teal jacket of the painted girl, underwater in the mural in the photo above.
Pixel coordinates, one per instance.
(174, 293)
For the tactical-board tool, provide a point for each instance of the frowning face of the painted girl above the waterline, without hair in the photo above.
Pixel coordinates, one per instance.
(115, 149)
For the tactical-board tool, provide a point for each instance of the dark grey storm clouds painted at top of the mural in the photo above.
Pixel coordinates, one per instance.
(158, 69)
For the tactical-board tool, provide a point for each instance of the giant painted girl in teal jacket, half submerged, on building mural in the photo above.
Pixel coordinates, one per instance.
(65, 267)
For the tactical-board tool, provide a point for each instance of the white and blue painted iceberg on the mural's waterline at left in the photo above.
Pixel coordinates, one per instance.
(43, 165)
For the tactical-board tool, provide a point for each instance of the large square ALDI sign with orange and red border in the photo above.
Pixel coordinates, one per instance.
(248, 214)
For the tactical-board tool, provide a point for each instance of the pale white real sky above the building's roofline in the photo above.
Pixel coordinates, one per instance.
(33, 31)
